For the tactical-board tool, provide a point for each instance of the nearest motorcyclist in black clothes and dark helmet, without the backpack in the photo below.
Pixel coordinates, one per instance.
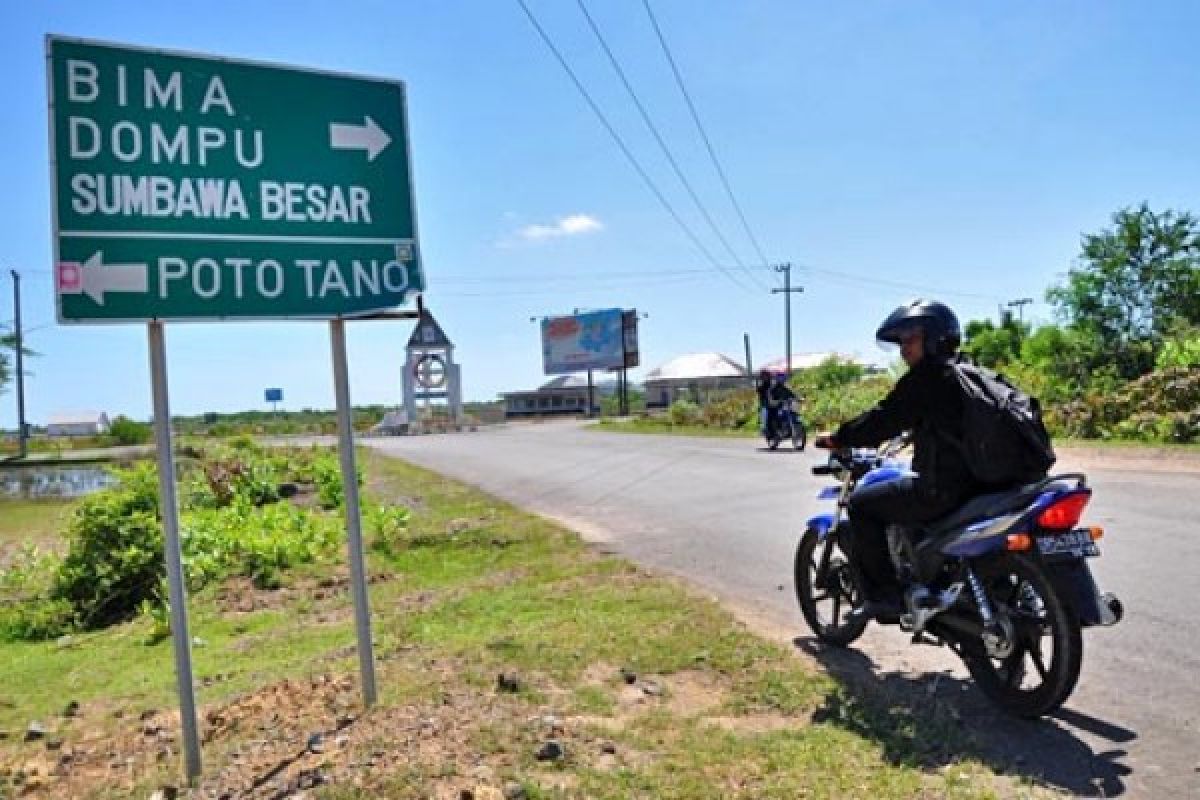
(928, 401)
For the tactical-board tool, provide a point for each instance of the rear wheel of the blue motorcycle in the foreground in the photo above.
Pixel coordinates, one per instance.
(1034, 669)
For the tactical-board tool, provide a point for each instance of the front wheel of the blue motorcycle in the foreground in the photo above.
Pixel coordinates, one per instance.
(826, 590)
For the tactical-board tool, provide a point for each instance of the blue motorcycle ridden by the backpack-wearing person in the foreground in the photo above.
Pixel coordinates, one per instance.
(1004, 581)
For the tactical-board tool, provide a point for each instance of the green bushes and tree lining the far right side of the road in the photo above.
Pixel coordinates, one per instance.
(1123, 365)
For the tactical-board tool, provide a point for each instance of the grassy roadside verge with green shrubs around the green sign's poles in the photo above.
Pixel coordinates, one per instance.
(512, 659)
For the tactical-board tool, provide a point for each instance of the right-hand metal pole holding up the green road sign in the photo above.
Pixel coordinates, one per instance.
(353, 516)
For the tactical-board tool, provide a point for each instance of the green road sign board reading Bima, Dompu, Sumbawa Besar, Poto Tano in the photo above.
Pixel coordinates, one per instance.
(200, 188)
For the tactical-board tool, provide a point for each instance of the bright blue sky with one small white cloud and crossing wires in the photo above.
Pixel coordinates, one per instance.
(881, 148)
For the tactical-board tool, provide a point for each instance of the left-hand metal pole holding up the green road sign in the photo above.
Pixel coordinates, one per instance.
(169, 507)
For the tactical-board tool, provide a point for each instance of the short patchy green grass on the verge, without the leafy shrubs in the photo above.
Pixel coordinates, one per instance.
(472, 590)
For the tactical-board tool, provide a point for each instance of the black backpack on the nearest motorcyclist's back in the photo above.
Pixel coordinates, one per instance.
(1004, 438)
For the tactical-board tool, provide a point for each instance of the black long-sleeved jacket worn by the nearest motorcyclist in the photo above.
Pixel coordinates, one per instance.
(928, 401)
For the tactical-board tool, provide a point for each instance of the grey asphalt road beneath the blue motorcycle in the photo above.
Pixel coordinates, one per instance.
(724, 514)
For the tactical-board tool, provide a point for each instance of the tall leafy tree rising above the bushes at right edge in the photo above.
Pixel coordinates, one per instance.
(1135, 284)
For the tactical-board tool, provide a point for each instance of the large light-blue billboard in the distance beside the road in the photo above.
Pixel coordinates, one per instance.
(591, 341)
